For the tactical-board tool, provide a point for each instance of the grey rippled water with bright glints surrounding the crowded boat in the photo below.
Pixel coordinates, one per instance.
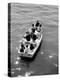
(46, 60)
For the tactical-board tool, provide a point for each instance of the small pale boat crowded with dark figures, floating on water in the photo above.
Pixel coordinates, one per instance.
(30, 41)
